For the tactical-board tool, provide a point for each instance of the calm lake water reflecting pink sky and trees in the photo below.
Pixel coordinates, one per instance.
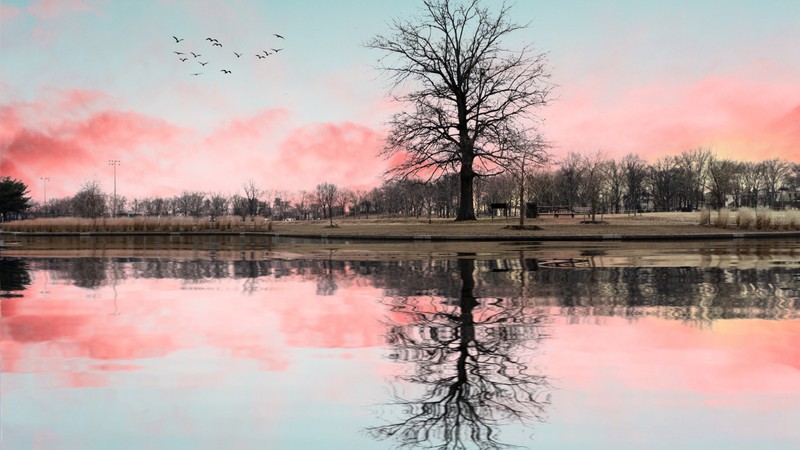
(607, 346)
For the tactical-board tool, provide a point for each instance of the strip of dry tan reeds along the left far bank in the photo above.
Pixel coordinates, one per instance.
(137, 224)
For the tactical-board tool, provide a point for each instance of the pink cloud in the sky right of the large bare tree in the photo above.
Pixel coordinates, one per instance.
(740, 119)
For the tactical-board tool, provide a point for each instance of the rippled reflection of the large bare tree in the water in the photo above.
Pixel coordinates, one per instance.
(471, 360)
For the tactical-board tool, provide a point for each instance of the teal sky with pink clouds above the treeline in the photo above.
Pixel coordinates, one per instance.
(85, 81)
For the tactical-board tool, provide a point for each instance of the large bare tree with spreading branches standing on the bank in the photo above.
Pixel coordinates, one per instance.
(467, 88)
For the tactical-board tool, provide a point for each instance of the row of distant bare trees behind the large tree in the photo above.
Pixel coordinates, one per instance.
(694, 179)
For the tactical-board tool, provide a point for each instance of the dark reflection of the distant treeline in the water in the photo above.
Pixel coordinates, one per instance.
(681, 292)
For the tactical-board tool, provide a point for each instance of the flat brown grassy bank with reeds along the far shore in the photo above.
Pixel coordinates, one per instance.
(641, 225)
